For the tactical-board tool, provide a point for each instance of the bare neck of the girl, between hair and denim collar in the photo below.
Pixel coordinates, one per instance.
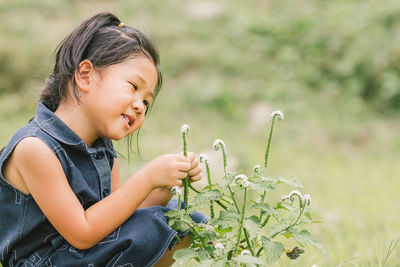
(74, 117)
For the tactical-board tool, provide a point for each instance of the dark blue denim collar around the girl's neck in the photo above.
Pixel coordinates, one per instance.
(56, 128)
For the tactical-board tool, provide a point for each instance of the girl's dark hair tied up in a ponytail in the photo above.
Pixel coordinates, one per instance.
(103, 40)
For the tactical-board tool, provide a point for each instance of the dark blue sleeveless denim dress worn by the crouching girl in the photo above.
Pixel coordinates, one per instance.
(28, 239)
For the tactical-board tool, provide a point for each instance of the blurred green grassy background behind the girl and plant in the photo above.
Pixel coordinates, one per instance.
(333, 68)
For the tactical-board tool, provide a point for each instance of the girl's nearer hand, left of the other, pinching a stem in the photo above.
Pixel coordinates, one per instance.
(168, 170)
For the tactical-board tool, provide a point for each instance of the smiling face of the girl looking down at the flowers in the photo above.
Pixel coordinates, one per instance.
(119, 97)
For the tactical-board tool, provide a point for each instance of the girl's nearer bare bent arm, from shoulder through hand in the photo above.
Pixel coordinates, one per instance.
(46, 181)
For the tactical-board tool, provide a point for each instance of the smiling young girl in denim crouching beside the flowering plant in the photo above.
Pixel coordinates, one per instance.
(62, 199)
